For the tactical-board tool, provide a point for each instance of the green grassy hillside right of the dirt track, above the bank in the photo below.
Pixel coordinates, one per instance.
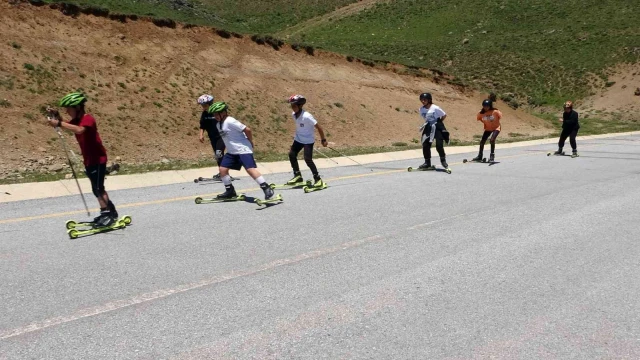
(540, 49)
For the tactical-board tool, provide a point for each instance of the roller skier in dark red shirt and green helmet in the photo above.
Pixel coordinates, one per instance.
(94, 154)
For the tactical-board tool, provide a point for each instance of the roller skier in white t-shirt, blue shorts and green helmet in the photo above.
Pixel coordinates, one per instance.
(238, 140)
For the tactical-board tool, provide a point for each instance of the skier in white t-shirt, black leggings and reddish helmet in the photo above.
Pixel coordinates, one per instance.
(304, 139)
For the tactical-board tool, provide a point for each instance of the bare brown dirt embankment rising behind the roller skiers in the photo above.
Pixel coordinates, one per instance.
(143, 81)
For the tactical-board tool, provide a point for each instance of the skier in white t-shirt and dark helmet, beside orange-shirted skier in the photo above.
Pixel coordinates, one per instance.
(433, 129)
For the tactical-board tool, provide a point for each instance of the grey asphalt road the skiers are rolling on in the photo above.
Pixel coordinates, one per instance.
(534, 257)
